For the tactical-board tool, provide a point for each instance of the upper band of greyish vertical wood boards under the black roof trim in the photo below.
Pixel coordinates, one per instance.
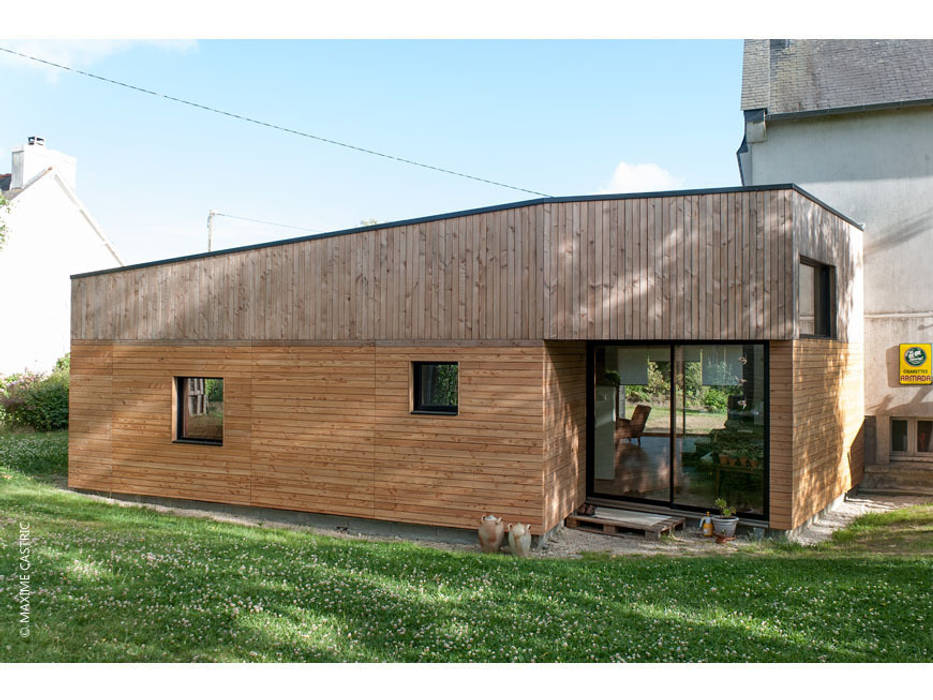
(699, 266)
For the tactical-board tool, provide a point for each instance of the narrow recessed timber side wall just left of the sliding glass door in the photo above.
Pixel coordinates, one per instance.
(564, 429)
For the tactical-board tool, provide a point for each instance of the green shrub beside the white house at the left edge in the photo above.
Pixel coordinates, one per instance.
(37, 401)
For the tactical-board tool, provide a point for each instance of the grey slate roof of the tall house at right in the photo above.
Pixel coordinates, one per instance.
(790, 76)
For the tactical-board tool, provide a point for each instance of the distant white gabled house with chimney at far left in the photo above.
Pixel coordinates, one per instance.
(50, 235)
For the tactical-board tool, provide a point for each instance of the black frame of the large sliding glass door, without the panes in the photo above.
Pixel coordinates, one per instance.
(672, 345)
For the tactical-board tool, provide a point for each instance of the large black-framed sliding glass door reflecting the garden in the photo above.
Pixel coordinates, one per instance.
(679, 424)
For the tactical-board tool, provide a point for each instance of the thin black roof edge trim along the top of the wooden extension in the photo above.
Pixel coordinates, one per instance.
(473, 212)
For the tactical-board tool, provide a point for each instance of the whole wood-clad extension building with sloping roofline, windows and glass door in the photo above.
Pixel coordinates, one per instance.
(658, 350)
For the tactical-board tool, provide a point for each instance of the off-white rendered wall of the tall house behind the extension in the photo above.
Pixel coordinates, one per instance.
(877, 168)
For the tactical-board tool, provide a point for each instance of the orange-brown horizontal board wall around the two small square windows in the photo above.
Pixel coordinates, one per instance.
(324, 429)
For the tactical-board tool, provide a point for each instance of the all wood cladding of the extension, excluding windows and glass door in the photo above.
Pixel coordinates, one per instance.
(315, 337)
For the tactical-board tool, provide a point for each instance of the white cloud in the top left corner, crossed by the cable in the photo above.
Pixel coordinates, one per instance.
(77, 53)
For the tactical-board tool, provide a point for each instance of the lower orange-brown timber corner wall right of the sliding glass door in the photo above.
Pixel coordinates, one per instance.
(817, 409)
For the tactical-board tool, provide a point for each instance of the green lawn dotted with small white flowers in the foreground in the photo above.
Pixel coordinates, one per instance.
(117, 583)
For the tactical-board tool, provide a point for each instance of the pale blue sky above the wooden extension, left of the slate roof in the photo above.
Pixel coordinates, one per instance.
(561, 117)
